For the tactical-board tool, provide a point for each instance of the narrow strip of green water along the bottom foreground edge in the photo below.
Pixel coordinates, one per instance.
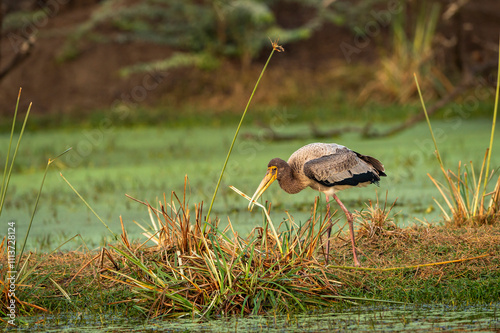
(427, 318)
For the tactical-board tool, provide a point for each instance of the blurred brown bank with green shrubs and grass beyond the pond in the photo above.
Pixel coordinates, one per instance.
(153, 61)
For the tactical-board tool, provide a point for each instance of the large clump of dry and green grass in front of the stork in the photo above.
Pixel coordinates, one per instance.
(192, 270)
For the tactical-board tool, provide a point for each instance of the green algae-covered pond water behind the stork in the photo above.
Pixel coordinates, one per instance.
(148, 162)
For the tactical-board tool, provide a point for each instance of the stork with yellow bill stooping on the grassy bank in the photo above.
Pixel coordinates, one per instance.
(325, 167)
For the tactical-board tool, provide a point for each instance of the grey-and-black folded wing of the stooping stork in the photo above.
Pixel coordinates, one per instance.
(345, 167)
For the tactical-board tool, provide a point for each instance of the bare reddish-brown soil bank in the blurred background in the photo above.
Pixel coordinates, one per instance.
(91, 82)
